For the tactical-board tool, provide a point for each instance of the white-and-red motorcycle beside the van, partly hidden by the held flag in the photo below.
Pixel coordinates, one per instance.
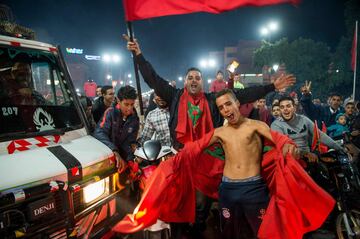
(148, 157)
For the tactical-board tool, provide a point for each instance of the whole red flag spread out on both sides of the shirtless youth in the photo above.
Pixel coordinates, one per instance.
(297, 204)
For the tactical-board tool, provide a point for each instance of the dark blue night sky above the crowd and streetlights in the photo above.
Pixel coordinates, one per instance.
(172, 43)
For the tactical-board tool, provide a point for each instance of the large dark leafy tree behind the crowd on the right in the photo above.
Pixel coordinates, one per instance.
(305, 58)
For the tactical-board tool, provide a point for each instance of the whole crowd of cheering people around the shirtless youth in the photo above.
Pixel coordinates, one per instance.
(178, 116)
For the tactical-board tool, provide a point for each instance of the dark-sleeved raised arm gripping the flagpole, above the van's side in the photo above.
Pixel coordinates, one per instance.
(154, 81)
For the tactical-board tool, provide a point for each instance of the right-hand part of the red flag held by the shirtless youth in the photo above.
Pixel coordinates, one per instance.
(297, 204)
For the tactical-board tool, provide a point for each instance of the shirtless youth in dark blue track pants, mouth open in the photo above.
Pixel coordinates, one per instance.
(243, 195)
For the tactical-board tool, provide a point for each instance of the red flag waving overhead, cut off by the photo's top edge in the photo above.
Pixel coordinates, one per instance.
(143, 9)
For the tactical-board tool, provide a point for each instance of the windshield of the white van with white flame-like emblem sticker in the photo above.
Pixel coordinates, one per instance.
(35, 98)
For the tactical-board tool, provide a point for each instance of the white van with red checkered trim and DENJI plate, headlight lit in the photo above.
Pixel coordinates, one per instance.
(56, 180)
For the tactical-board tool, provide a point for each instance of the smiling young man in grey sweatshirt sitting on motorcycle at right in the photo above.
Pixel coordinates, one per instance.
(300, 129)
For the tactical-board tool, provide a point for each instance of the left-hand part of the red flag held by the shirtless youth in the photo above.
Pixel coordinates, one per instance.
(170, 191)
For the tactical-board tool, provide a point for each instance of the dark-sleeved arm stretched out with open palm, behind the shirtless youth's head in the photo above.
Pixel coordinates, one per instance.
(252, 94)
